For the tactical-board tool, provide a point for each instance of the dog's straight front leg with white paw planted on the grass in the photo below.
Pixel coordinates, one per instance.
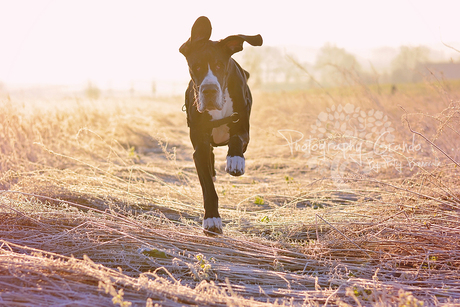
(203, 158)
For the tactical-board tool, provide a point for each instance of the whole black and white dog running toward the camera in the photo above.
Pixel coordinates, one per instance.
(218, 103)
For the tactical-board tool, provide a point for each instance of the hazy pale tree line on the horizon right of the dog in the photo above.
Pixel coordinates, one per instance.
(334, 66)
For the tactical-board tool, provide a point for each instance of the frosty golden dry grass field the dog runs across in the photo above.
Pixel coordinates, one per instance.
(100, 204)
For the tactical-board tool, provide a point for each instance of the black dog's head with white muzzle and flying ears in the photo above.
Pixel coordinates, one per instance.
(208, 62)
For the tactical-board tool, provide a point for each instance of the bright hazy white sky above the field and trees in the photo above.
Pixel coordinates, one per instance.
(117, 42)
